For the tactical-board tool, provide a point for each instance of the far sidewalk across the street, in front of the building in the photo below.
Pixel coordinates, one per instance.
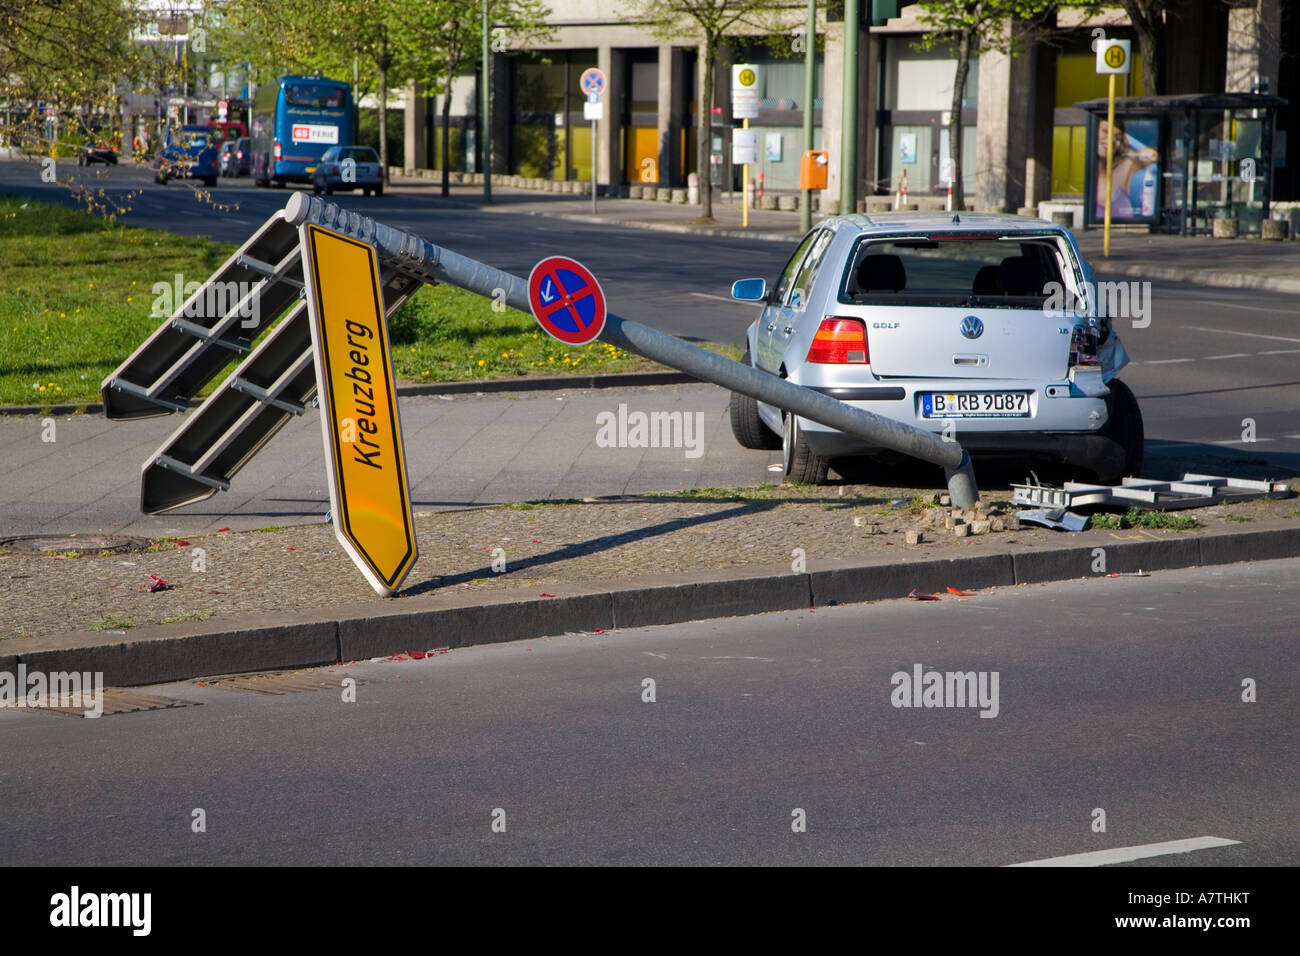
(1249, 263)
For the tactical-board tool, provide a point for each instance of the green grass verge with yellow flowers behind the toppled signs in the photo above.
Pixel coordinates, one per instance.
(77, 296)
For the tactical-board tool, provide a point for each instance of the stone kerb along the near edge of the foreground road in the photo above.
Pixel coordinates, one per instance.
(166, 654)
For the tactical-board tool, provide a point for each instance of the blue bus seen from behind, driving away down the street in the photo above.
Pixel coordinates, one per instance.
(294, 123)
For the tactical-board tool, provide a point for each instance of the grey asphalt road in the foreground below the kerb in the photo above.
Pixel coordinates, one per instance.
(1121, 695)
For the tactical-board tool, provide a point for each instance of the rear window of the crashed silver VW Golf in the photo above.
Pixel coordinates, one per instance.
(954, 271)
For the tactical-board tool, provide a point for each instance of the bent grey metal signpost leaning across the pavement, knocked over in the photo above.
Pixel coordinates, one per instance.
(421, 258)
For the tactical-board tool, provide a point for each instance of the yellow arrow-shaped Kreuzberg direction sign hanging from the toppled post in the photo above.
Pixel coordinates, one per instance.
(370, 496)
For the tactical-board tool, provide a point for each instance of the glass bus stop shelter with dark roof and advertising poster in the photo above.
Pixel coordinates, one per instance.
(1185, 161)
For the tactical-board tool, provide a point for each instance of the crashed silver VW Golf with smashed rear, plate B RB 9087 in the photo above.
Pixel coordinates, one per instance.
(983, 328)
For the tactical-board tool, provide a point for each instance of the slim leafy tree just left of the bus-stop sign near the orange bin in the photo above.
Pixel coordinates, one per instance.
(709, 23)
